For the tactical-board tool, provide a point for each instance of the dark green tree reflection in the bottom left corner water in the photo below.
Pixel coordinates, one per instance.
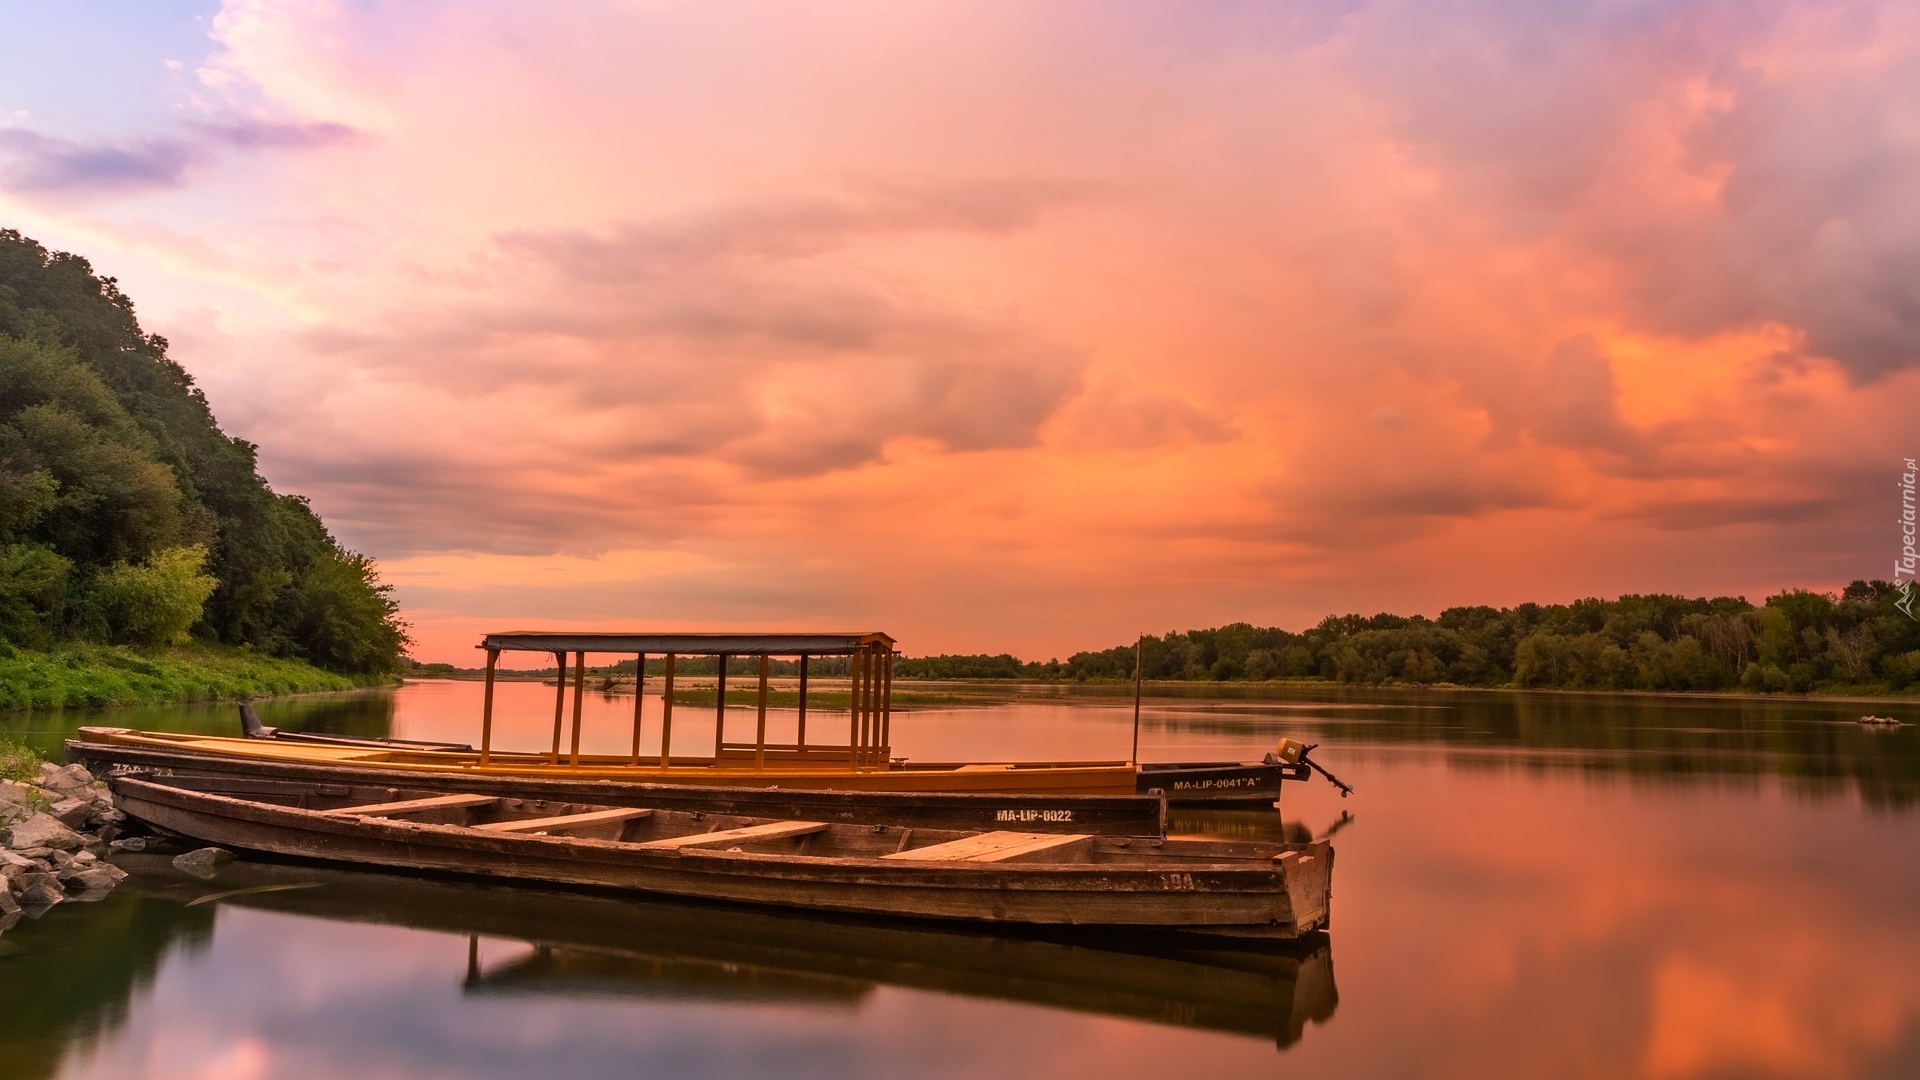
(72, 975)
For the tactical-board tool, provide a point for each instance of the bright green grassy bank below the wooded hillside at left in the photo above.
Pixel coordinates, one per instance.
(116, 675)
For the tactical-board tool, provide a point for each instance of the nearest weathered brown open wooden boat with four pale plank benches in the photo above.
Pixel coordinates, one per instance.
(1017, 879)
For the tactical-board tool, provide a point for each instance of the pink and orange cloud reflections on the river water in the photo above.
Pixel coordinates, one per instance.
(1493, 921)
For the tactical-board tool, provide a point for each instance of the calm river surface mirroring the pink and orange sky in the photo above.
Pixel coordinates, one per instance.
(1527, 887)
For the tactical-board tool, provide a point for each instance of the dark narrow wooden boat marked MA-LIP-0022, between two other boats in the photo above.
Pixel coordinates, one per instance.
(1109, 816)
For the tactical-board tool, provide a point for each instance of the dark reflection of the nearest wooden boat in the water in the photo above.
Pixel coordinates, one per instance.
(656, 948)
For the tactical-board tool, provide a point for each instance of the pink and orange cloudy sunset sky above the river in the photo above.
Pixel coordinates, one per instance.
(1017, 326)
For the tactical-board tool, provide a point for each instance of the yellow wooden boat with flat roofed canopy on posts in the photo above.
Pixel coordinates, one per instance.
(863, 764)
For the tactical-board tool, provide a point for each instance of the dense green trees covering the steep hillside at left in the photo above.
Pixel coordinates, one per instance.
(130, 518)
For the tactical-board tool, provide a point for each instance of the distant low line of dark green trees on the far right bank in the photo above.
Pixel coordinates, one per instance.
(1794, 643)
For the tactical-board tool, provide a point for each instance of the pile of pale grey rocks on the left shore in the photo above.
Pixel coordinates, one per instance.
(53, 835)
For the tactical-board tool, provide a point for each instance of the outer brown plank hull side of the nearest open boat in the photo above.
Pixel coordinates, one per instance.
(1276, 898)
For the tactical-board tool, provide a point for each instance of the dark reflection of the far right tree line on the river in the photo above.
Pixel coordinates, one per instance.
(1810, 743)
